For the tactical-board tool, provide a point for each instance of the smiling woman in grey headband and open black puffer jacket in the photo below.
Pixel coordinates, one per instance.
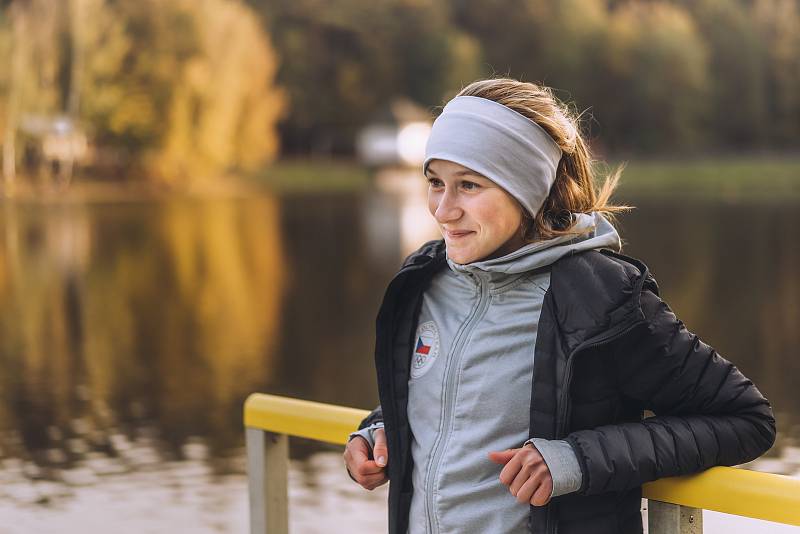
(516, 357)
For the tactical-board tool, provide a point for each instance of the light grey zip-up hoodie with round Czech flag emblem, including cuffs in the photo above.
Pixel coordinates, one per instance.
(470, 386)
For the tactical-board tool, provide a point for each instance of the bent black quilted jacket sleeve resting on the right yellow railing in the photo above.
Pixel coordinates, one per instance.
(706, 412)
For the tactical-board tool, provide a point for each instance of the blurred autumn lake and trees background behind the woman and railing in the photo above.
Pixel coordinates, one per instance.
(206, 198)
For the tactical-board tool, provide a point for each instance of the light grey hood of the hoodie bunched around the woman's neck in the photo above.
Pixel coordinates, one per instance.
(594, 232)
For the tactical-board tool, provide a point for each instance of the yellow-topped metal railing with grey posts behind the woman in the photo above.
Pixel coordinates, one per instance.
(722, 489)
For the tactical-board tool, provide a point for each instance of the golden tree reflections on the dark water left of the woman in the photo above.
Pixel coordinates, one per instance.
(123, 317)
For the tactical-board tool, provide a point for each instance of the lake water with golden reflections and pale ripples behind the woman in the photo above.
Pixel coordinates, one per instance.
(131, 333)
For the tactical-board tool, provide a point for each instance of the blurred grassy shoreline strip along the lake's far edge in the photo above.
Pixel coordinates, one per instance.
(724, 176)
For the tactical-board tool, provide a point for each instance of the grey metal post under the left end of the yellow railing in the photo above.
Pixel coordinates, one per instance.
(267, 474)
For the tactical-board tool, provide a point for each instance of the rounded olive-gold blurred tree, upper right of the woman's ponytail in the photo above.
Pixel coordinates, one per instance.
(656, 80)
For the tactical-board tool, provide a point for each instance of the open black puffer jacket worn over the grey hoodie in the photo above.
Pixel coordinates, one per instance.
(608, 348)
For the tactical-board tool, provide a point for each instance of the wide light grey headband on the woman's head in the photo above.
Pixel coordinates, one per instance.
(491, 139)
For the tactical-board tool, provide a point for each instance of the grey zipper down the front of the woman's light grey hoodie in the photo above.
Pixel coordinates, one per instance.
(448, 402)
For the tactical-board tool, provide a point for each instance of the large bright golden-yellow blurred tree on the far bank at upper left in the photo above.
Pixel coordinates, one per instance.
(158, 84)
